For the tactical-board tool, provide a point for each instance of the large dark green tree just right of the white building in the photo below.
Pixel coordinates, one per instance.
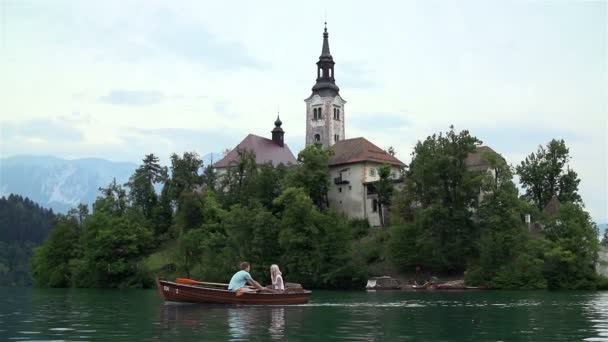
(436, 212)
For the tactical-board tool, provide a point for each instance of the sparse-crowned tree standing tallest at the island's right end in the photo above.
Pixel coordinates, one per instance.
(546, 173)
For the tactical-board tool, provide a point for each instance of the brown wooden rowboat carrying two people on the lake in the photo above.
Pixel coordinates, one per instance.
(218, 293)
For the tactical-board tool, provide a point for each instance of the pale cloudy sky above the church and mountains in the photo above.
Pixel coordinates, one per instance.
(120, 79)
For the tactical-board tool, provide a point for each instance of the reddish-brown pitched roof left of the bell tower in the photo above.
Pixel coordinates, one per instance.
(266, 151)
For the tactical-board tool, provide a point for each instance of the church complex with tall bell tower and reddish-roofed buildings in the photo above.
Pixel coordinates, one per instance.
(354, 164)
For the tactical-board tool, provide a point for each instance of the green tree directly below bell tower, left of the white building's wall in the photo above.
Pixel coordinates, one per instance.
(312, 174)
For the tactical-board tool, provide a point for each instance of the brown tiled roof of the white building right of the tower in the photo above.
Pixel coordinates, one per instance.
(360, 150)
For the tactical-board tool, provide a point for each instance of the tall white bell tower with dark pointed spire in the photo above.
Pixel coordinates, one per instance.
(324, 107)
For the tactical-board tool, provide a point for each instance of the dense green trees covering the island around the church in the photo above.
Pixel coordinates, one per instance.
(447, 218)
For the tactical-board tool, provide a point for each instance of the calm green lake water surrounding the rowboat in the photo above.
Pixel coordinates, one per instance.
(140, 315)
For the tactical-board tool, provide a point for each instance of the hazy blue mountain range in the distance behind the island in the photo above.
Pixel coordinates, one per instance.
(62, 184)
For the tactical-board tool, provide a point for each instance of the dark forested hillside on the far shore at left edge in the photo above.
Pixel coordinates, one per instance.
(23, 225)
